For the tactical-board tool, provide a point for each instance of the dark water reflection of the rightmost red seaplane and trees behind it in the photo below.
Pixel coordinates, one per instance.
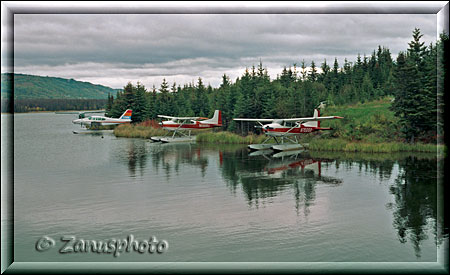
(266, 176)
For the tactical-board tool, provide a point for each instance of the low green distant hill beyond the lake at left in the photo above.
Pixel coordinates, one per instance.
(44, 87)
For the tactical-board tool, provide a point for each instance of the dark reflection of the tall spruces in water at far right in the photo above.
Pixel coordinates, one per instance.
(415, 194)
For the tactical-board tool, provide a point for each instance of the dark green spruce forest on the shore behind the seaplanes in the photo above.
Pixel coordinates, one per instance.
(412, 79)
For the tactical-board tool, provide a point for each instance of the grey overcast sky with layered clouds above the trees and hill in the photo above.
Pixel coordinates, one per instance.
(113, 49)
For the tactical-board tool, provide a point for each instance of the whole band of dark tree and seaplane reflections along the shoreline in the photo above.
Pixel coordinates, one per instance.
(413, 180)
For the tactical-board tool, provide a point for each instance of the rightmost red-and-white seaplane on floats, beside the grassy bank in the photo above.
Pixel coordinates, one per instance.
(287, 129)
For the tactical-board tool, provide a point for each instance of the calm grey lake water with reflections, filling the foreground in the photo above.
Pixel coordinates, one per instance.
(217, 203)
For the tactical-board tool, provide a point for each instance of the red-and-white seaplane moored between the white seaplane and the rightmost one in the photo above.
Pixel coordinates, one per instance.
(179, 125)
